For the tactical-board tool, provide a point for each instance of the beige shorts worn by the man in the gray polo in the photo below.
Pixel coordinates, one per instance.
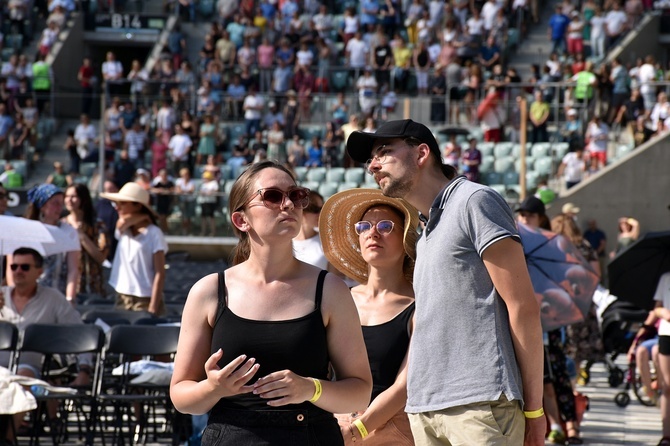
(496, 423)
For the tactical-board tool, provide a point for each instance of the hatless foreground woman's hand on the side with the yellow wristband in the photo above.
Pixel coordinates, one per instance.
(284, 387)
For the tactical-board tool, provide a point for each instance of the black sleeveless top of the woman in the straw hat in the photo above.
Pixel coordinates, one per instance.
(387, 345)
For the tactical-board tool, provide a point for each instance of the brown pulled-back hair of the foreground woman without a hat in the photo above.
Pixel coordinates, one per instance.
(239, 196)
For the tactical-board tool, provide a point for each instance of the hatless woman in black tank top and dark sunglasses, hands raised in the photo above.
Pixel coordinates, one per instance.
(259, 339)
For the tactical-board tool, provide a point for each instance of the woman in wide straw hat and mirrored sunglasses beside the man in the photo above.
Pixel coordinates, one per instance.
(371, 238)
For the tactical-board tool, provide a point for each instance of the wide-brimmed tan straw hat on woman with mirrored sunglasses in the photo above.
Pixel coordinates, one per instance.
(340, 241)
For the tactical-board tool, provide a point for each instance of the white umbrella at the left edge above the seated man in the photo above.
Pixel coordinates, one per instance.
(59, 240)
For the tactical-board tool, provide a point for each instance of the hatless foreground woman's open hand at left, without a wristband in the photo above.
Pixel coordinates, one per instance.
(233, 378)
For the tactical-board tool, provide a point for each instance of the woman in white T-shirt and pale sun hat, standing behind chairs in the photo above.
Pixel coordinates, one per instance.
(138, 269)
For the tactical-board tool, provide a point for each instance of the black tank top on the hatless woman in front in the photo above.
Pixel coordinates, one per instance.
(299, 345)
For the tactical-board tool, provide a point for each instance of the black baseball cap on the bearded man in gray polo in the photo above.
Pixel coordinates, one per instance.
(359, 144)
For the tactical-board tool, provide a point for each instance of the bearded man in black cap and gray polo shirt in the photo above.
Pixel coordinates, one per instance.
(476, 357)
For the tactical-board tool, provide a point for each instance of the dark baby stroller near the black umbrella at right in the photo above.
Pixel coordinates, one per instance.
(620, 322)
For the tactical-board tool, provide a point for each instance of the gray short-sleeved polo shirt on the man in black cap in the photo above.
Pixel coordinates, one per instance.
(461, 350)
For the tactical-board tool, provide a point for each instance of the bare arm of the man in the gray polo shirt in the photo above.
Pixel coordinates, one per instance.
(506, 265)
